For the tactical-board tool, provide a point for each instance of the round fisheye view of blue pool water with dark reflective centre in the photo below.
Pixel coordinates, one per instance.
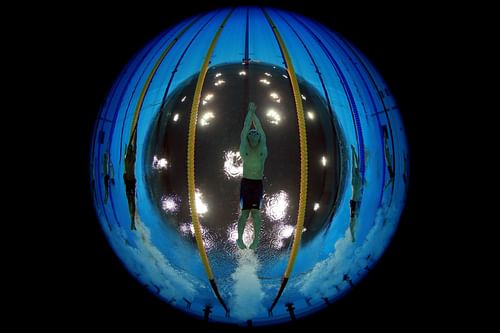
(350, 115)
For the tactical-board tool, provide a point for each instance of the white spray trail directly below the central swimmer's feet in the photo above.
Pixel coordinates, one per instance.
(246, 302)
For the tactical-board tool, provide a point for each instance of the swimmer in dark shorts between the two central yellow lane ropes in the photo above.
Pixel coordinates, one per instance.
(253, 151)
